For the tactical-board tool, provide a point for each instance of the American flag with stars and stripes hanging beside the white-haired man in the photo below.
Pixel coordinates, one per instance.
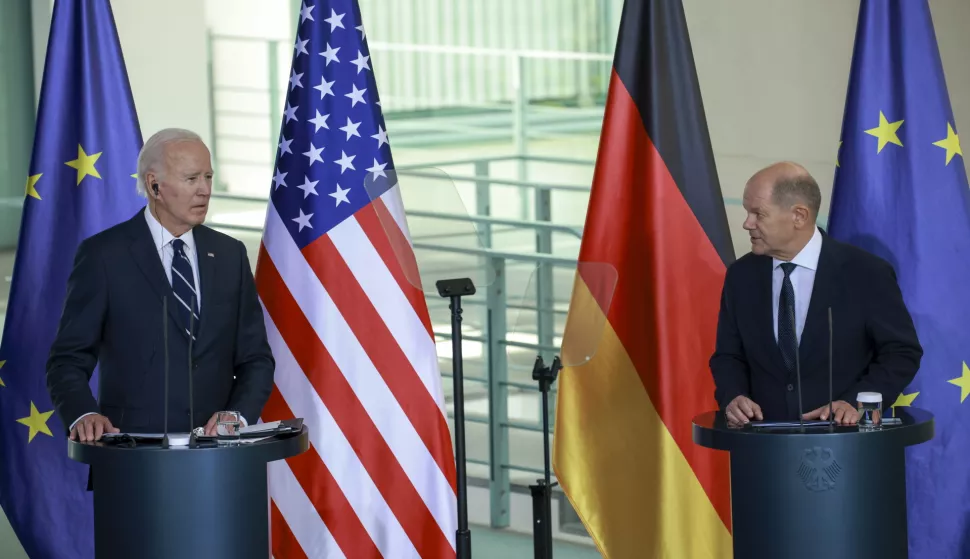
(347, 323)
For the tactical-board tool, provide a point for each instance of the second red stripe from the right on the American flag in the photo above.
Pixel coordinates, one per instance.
(383, 350)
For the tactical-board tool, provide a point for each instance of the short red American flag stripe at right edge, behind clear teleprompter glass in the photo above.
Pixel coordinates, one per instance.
(396, 252)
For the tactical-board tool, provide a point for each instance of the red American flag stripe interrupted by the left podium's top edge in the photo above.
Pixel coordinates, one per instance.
(322, 490)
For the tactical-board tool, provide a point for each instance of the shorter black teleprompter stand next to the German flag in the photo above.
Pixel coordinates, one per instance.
(542, 490)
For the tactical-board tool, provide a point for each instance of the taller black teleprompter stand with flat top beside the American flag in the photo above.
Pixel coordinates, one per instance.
(455, 289)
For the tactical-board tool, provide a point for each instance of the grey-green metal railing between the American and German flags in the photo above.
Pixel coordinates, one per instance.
(494, 307)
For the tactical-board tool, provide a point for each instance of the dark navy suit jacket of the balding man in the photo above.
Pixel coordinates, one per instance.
(874, 349)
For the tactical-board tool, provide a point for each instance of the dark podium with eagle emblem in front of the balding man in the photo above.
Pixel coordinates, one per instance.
(818, 492)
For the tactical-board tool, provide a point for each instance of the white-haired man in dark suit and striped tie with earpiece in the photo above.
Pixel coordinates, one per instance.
(113, 312)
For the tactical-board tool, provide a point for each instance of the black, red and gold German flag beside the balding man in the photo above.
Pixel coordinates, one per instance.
(623, 451)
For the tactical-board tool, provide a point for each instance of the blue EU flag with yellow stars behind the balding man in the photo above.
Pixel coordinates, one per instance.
(901, 192)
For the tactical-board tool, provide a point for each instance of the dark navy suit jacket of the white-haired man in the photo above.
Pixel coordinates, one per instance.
(113, 318)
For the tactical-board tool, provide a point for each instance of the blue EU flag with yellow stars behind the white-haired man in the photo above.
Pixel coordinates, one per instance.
(80, 182)
